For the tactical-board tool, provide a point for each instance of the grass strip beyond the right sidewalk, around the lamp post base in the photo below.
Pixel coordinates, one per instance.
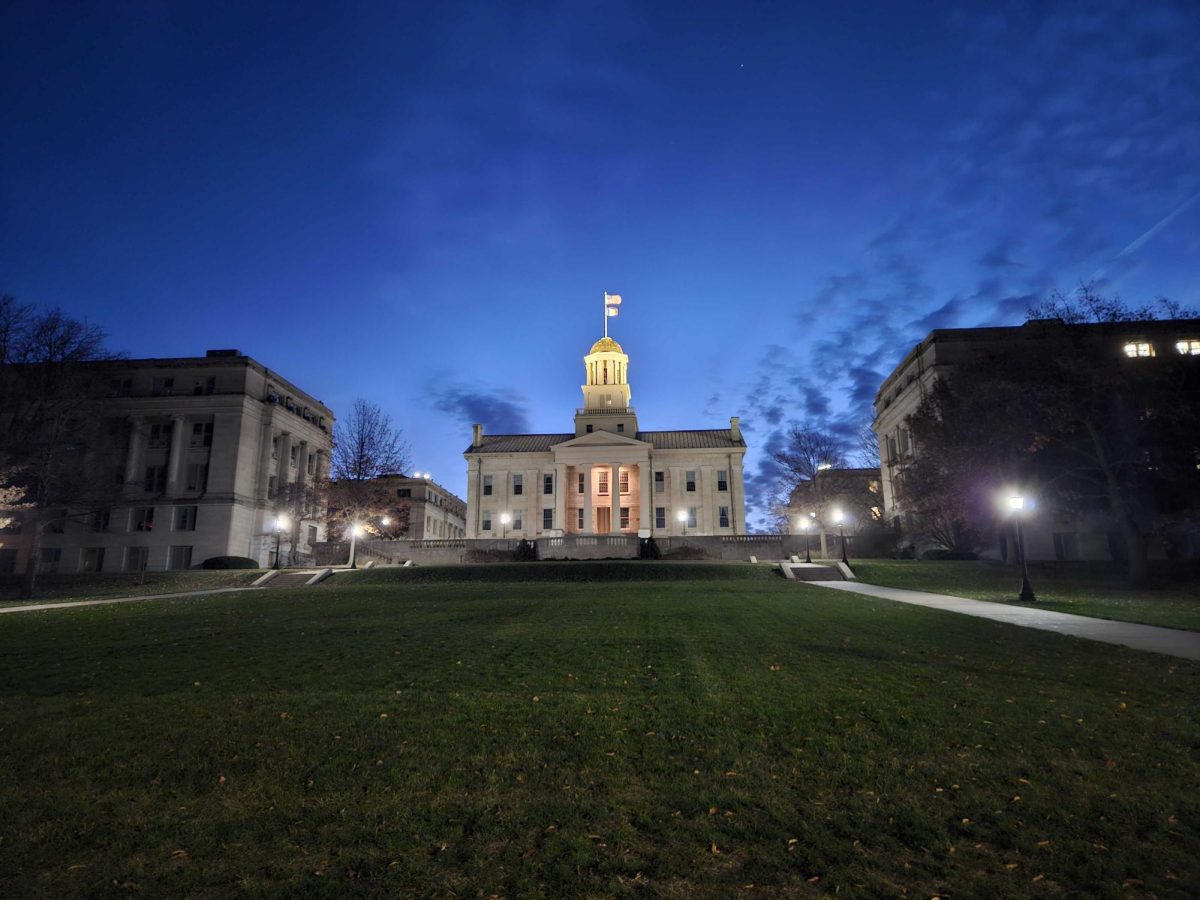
(1083, 589)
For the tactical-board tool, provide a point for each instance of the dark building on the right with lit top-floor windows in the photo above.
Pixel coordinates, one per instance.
(1053, 537)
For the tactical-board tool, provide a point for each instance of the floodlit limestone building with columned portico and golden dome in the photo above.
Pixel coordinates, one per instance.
(608, 477)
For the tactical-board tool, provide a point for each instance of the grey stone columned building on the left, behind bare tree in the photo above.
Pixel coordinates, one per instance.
(205, 452)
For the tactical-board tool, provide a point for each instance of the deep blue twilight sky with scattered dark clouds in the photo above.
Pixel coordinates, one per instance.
(422, 205)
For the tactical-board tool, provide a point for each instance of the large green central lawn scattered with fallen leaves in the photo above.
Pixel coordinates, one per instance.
(734, 735)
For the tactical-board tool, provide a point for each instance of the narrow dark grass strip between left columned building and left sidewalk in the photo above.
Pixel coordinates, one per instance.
(94, 586)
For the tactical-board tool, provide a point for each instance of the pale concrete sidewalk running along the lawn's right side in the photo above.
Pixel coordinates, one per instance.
(1169, 641)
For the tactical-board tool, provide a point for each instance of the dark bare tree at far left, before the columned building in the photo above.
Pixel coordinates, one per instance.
(47, 424)
